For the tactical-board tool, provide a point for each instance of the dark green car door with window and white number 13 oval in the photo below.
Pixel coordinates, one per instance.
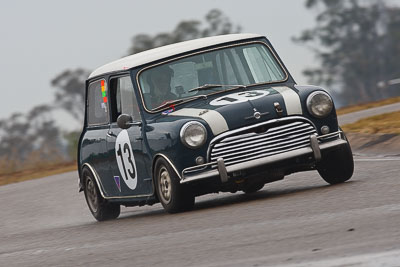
(126, 153)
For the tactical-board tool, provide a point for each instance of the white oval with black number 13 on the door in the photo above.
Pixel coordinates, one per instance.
(125, 159)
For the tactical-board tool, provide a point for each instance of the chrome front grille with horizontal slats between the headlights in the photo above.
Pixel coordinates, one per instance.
(258, 143)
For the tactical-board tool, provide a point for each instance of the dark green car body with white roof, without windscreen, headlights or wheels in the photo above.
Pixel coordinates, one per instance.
(261, 131)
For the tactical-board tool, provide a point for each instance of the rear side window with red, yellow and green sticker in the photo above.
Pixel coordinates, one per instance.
(97, 110)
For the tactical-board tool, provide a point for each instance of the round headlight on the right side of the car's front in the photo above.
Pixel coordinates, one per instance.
(319, 104)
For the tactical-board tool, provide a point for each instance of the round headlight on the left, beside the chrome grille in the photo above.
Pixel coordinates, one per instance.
(193, 134)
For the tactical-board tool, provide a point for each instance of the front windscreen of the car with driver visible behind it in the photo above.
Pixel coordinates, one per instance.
(210, 72)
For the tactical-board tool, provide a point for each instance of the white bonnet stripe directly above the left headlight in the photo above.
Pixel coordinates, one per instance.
(214, 119)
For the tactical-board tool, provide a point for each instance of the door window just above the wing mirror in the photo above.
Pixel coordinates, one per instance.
(123, 98)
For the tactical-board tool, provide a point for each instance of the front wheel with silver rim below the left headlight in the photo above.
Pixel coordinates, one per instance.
(173, 196)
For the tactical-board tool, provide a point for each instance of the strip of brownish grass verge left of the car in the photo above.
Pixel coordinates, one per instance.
(34, 173)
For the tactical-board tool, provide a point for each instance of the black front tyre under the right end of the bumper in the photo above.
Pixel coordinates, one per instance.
(337, 166)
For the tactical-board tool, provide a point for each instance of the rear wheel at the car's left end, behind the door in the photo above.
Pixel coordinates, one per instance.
(101, 209)
